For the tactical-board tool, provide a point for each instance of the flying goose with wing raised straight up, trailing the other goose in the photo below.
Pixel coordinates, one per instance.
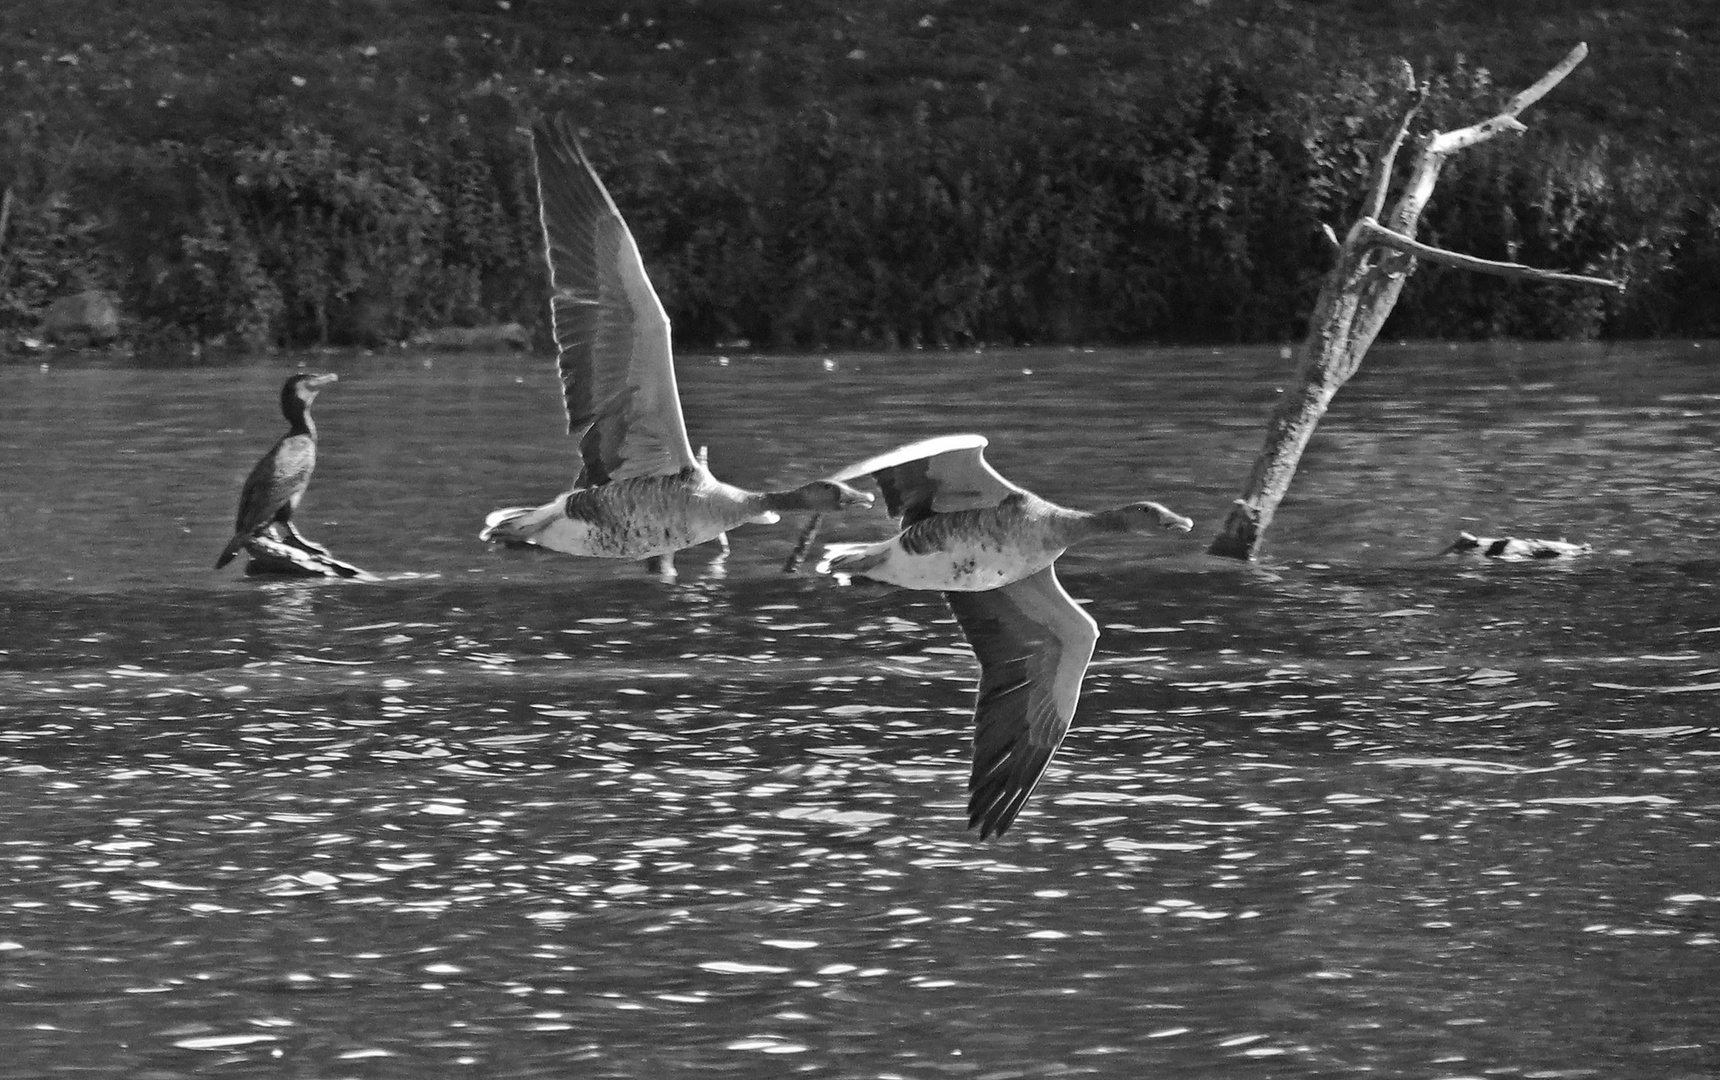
(641, 489)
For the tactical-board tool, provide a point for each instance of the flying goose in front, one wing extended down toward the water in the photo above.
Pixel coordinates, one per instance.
(990, 546)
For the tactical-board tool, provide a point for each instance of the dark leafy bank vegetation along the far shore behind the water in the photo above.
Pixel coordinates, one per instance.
(840, 175)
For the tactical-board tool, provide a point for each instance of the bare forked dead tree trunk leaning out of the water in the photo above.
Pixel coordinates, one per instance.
(1373, 262)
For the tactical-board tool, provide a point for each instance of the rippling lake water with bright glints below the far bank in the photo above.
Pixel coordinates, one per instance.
(1353, 811)
